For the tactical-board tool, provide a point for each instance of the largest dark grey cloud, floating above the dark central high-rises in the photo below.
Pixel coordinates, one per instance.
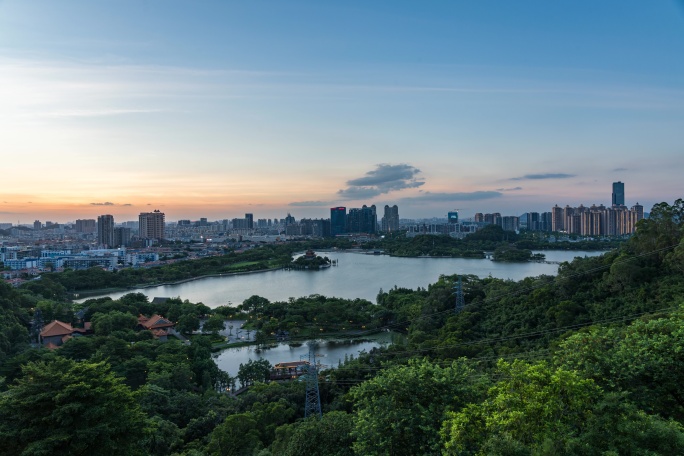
(384, 178)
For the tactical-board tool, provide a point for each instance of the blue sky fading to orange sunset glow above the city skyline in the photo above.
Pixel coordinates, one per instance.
(218, 108)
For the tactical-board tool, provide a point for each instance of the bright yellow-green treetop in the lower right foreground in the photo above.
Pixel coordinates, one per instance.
(535, 404)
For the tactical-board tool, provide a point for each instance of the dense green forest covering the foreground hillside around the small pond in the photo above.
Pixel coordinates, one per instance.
(589, 361)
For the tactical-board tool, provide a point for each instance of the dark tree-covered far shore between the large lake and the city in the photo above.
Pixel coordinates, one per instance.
(272, 256)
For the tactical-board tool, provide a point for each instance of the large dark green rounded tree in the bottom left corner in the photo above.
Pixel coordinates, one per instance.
(67, 407)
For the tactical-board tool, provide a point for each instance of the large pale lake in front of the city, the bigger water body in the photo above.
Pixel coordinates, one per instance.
(357, 275)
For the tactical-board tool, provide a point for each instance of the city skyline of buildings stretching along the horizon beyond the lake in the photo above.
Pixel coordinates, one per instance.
(103, 243)
